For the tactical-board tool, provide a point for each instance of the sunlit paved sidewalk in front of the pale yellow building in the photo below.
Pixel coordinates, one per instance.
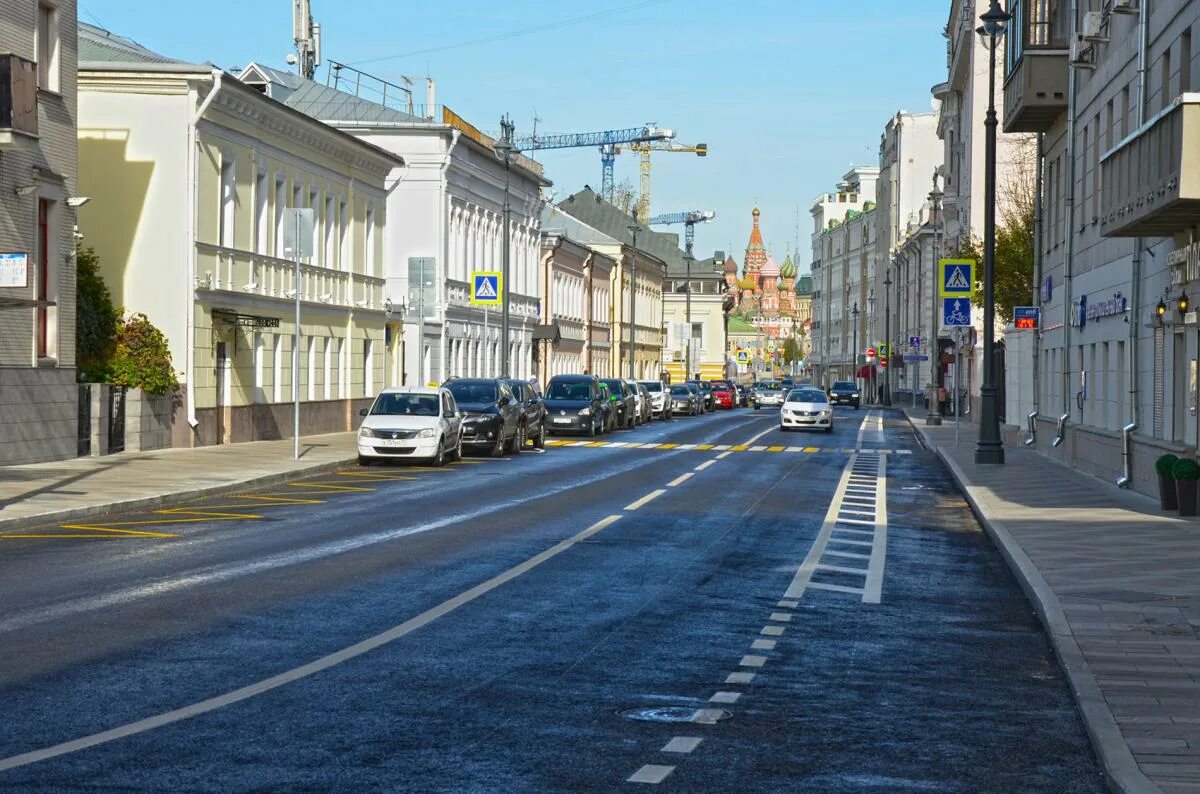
(45, 494)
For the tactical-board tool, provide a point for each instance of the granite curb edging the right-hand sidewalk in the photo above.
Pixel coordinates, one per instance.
(1121, 769)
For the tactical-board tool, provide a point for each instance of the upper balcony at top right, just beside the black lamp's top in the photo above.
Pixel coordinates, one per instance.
(1036, 65)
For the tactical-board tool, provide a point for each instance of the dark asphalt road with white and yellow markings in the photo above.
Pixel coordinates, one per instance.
(590, 618)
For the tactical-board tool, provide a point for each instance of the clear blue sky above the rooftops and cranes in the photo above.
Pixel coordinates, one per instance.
(788, 94)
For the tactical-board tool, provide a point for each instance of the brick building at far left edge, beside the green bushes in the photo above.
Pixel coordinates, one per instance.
(39, 398)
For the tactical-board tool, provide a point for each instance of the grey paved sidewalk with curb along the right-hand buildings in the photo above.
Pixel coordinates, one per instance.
(1117, 582)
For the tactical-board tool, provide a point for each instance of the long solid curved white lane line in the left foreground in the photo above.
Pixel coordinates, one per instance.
(311, 669)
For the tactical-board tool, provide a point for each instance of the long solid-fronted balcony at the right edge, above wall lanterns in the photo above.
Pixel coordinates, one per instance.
(1150, 183)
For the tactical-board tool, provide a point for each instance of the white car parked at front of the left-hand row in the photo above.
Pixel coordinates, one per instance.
(422, 423)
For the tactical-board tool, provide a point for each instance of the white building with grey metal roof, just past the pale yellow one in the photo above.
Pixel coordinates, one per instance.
(449, 196)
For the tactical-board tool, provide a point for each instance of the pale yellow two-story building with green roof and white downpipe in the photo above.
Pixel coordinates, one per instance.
(190, 173)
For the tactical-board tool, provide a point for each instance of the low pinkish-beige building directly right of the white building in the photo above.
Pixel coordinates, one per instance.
(575, 332)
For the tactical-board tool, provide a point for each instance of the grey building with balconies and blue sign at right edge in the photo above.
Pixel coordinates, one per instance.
(1111, 93)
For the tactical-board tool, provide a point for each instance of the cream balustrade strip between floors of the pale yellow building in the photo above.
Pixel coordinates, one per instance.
(253, 274)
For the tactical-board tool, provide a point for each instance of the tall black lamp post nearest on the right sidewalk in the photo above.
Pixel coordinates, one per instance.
(991, 449)
